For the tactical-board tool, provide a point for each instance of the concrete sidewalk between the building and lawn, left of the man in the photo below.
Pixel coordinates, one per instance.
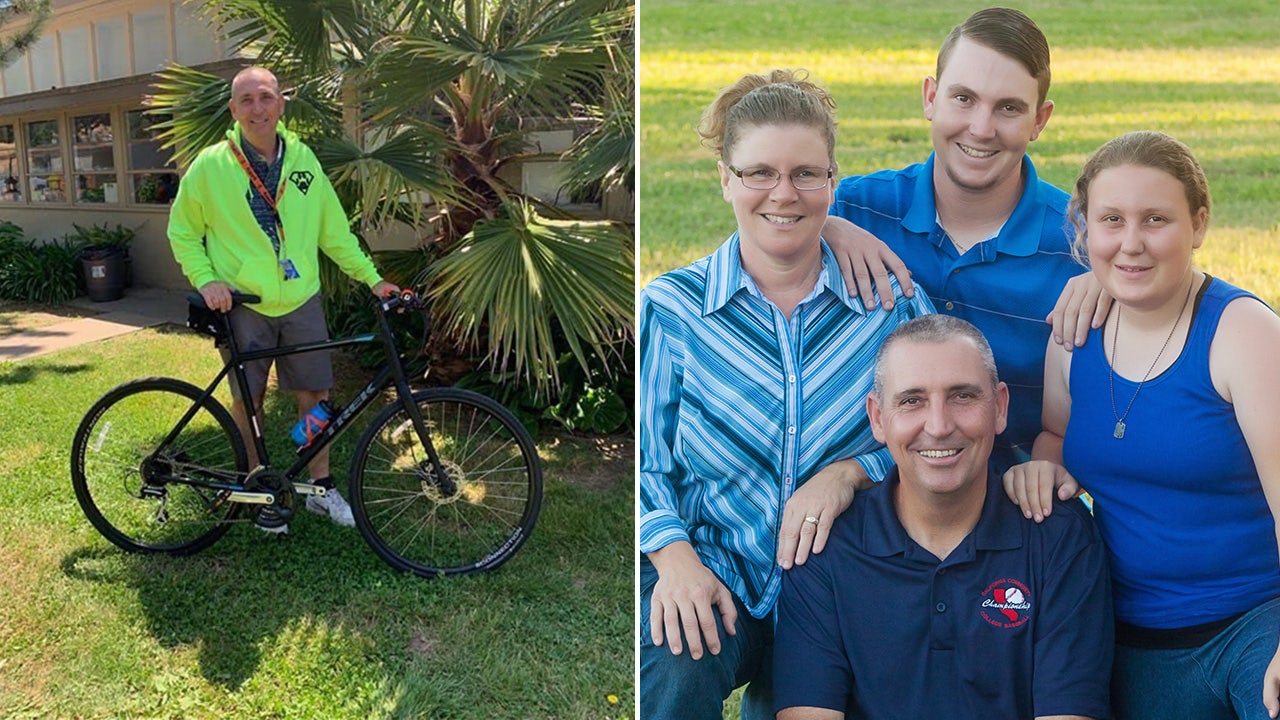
(140, 308)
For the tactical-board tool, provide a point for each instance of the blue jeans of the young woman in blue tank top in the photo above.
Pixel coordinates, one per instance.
(1222, 680)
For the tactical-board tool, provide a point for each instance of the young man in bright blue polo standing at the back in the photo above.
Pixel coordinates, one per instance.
(980, 233)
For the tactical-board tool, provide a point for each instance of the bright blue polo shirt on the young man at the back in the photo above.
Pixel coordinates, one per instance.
(1005, 286)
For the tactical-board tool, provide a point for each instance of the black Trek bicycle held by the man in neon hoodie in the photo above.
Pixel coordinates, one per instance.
(444, 481)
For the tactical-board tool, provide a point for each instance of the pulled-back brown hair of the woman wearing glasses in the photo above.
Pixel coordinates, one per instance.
(780, 98)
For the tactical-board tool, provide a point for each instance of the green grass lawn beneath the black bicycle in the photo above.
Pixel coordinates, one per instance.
(310, 626)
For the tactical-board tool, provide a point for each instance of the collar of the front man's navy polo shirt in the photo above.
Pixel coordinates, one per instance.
(999, 526)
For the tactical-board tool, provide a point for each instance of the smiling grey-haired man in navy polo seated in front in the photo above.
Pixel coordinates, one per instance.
(935, 598)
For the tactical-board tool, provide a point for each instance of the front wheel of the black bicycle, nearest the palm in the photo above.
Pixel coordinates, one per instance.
(404, 514)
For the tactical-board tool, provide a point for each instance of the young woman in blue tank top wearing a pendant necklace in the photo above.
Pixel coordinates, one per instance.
(1171, 418)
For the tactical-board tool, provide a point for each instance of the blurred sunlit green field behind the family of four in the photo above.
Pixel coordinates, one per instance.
(1208, 74)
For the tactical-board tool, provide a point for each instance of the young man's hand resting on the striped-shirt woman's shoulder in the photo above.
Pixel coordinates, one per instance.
(866, 263)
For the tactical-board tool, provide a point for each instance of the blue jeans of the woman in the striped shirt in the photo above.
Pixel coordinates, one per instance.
(676, 687)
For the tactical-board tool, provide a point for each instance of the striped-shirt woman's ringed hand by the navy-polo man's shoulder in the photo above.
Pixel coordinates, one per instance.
(813, 508)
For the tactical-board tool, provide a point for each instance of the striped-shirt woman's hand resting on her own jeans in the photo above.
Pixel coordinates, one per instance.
(684, 598)
